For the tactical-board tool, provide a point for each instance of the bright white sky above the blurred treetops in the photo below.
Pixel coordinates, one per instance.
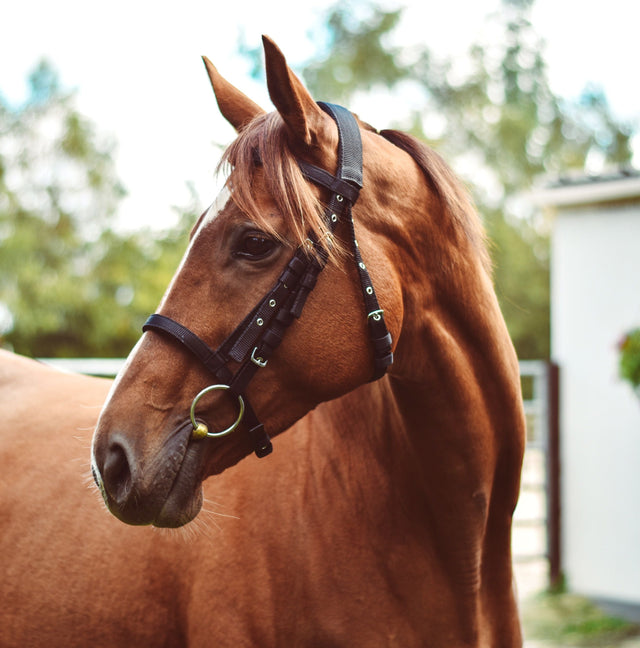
(137, 69)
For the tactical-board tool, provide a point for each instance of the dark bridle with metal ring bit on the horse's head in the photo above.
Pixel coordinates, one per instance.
(256, 338)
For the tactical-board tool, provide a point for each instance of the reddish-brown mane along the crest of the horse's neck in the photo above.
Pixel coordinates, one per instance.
(452, 194)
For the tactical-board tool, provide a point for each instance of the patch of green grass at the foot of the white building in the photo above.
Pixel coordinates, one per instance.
(573, 621)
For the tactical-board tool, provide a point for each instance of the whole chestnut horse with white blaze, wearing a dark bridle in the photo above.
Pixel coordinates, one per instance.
(328, 393)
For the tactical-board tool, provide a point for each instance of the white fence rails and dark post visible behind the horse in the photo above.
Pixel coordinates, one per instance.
(536, 532)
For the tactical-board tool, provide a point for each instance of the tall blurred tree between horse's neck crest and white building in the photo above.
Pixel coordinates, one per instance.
(505, 112)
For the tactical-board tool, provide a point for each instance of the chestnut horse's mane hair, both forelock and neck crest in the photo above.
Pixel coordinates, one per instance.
(262, 148)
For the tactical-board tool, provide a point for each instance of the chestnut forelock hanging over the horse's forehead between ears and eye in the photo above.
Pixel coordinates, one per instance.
(262, 153)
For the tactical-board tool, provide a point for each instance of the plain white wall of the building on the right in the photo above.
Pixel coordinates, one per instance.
(595, 298)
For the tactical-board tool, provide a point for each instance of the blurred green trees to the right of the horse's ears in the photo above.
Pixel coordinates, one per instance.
(495, 119)
